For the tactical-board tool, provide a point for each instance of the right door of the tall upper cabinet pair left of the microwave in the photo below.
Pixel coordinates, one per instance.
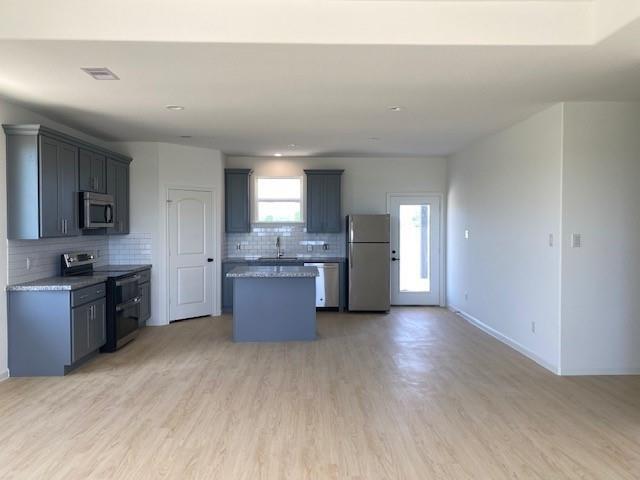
(68, 188)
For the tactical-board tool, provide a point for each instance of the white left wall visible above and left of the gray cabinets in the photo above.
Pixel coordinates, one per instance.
(11, 113)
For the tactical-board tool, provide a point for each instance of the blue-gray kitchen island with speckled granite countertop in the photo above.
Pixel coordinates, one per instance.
(274, 304)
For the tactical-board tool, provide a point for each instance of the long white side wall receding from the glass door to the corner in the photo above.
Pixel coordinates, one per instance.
(506, 190)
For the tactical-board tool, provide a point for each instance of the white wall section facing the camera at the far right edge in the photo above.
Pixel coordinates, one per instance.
(601, 201)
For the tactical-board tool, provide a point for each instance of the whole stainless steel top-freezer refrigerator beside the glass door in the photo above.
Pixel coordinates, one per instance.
(368, 262)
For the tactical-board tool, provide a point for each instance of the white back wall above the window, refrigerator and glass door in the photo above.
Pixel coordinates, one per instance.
(366, 181)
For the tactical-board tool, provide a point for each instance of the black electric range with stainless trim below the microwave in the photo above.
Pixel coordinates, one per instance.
(123, 295)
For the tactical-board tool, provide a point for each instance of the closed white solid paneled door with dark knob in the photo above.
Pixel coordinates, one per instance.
(191, 249)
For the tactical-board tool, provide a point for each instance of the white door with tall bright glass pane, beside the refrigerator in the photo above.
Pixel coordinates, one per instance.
(415, 249)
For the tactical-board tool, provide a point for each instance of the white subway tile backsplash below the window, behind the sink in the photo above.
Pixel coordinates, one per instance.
(294, 240)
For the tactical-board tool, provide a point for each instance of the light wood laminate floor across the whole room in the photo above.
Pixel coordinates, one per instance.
(416, 394)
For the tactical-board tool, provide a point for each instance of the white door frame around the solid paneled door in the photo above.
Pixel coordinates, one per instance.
(215, 239)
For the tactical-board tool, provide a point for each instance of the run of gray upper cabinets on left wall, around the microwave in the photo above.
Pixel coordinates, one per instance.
(46, 170)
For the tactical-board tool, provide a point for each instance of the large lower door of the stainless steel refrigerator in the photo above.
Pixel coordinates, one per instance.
(369, 277)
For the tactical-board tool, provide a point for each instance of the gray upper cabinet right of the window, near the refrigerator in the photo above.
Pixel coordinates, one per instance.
(324, 201)
